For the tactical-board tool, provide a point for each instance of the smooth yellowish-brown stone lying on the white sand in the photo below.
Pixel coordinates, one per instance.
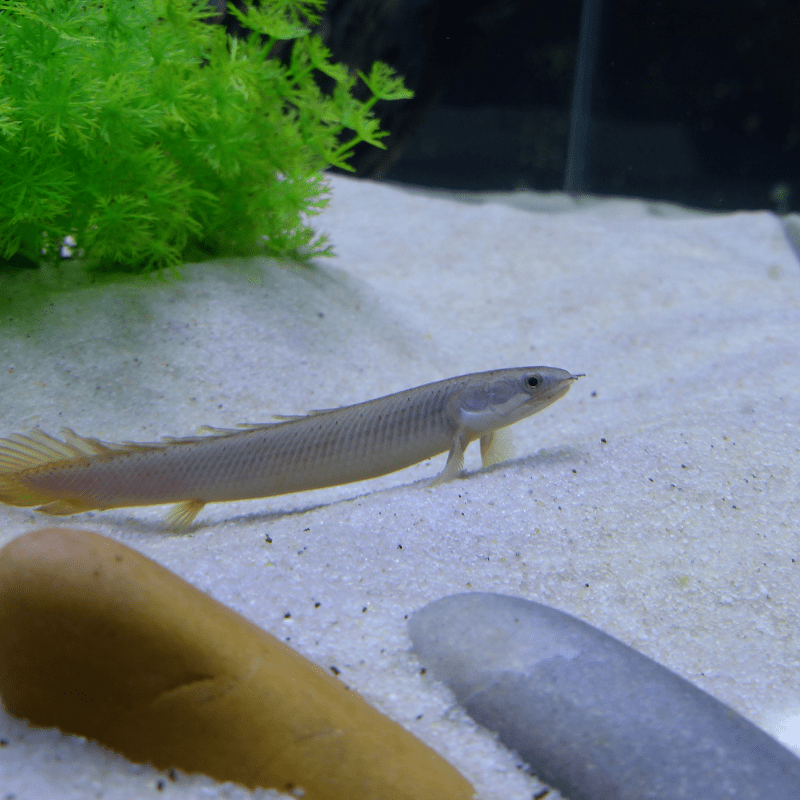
(98, 640)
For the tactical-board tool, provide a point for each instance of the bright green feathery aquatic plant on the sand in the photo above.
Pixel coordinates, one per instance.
(150, 137)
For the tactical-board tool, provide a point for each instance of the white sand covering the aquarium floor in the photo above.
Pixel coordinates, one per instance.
(658, 500)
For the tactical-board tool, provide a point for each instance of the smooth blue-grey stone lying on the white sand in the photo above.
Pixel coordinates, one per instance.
(590, 715)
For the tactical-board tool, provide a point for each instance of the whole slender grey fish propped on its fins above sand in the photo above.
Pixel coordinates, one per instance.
(295, 454)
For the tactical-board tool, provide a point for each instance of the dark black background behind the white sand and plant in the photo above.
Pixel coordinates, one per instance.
(693, 102)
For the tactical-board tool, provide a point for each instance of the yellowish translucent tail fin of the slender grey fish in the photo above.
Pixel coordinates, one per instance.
(23, 456)
